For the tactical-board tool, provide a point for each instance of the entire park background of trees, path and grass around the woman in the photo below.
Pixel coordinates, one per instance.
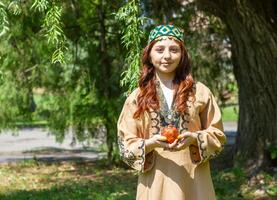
(66, 68)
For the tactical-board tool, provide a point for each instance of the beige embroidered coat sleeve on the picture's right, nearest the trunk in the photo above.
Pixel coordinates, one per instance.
(211, 138)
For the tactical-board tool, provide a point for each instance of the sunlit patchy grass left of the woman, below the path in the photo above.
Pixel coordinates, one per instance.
(66, 180)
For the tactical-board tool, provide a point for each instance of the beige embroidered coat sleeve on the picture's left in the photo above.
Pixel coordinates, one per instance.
(130, 140)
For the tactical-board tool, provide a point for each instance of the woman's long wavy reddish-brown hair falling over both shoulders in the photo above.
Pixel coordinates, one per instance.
(182, 83)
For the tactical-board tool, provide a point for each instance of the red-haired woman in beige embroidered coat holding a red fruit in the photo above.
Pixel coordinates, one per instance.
(167, 99)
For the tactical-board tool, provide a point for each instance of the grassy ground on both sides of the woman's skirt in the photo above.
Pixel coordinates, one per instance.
(75, 180)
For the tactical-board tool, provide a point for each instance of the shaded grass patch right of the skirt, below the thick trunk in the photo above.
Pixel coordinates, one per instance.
(233, 184)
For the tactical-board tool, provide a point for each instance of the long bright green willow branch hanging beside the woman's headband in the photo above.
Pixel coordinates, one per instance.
(131, 39)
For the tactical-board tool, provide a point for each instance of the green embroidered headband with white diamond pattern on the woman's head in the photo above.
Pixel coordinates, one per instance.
(166, 30)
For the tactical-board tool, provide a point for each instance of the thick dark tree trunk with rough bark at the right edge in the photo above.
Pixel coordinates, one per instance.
(251, 27)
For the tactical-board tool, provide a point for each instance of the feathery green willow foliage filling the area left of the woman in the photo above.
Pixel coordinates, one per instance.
(80, 80)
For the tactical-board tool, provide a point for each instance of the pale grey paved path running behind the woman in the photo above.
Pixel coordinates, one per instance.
(37, 143)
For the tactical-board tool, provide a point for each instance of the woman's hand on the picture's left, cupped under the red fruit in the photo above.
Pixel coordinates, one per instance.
(158, 141)
